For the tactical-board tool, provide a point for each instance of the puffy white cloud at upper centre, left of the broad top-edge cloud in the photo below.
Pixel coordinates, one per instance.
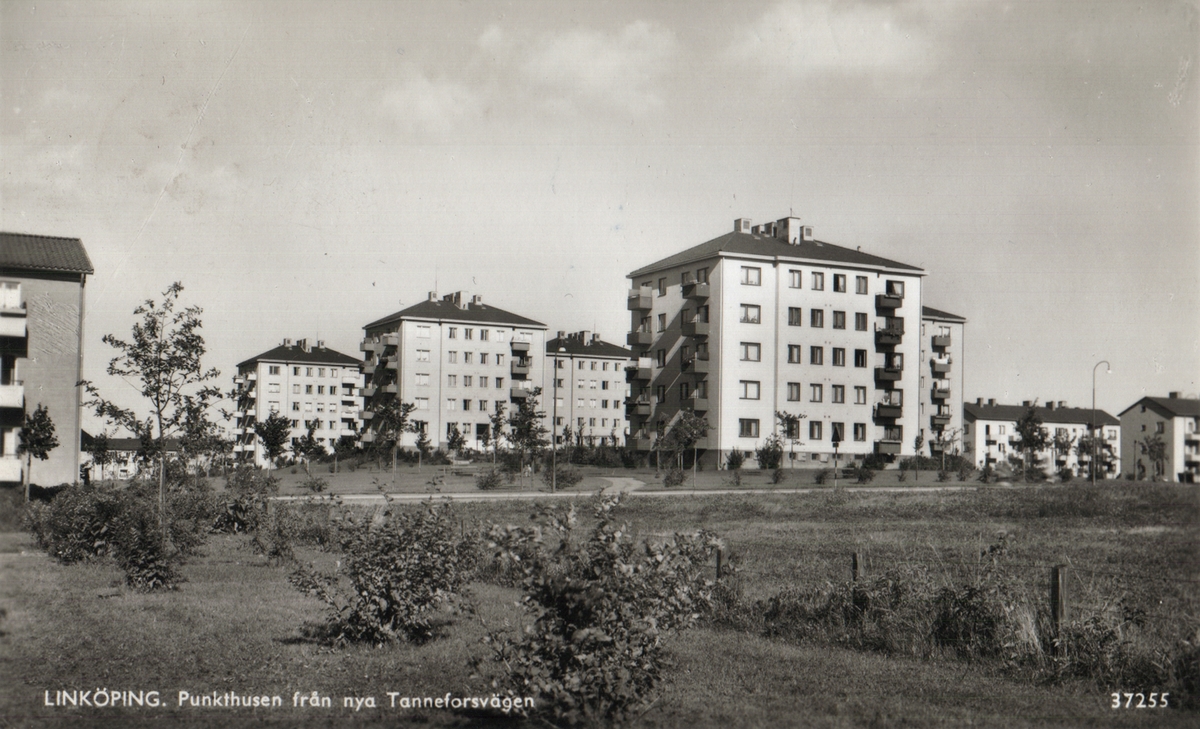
(608, 69)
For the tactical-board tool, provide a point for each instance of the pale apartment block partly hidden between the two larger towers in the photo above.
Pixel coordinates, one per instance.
(587, 389)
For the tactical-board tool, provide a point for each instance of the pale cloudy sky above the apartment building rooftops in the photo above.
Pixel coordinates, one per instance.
(305, 168)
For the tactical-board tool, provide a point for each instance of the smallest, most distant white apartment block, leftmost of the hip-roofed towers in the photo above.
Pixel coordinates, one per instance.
(311, 385)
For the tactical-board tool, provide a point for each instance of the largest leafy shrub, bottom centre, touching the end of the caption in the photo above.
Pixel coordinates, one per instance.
(602, 608)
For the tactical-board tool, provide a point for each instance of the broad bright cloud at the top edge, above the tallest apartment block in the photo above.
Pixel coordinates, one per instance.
(821, 38)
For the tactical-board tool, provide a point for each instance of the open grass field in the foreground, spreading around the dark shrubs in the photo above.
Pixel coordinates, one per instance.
(237, 625)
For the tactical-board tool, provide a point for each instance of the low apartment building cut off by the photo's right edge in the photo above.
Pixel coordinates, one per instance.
(1175, 420)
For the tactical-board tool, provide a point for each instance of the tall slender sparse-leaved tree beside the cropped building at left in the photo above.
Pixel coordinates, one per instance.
(163, 362)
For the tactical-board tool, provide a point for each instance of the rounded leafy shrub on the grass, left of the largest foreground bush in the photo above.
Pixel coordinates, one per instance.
(397, 573)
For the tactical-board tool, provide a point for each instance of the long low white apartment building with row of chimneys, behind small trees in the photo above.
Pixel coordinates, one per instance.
(989, 436)
